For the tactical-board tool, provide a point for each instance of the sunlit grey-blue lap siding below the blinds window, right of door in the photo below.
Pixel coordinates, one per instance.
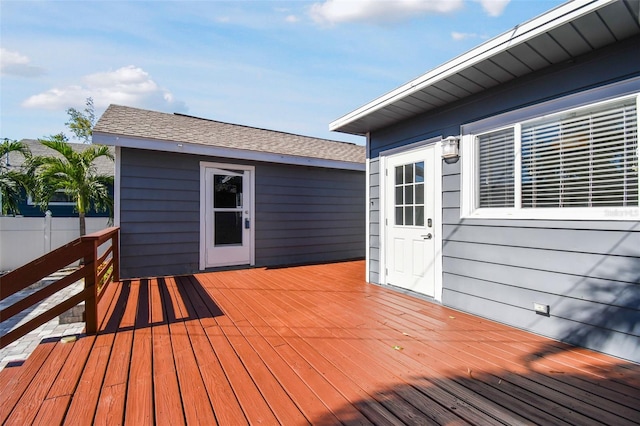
(587, 272)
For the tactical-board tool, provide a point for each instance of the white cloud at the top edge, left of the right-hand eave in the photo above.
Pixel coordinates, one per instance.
(337, 11)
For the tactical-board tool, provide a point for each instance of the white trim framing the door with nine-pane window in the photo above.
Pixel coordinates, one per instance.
(437, 234)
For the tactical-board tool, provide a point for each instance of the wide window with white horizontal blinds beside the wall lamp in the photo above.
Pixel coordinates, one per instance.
(583, 158)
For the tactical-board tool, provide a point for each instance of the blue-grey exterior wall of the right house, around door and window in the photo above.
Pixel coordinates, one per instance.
(587, 271)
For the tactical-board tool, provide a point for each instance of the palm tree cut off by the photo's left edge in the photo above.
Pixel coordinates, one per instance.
(12, 181)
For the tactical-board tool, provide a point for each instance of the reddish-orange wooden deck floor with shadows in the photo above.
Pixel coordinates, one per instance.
(312, 344)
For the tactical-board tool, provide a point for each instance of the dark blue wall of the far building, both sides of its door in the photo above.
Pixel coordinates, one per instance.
(302, 214)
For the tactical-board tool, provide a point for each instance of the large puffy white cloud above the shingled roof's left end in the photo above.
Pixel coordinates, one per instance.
(130, 85)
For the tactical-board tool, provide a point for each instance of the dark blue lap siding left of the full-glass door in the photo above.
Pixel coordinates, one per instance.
(159, 214)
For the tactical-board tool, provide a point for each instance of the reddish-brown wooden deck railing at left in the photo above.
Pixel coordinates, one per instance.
(99, 261)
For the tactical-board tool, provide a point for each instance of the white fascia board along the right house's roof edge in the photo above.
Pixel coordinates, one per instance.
(554, 18)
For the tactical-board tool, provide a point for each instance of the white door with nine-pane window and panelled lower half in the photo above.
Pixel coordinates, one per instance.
(410, 226)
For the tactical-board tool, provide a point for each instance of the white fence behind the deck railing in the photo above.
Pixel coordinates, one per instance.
(23, 239)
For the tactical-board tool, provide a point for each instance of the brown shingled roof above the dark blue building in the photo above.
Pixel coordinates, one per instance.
(138, 123)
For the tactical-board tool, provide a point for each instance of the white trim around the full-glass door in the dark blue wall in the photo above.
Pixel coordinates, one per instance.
(205, 165)
